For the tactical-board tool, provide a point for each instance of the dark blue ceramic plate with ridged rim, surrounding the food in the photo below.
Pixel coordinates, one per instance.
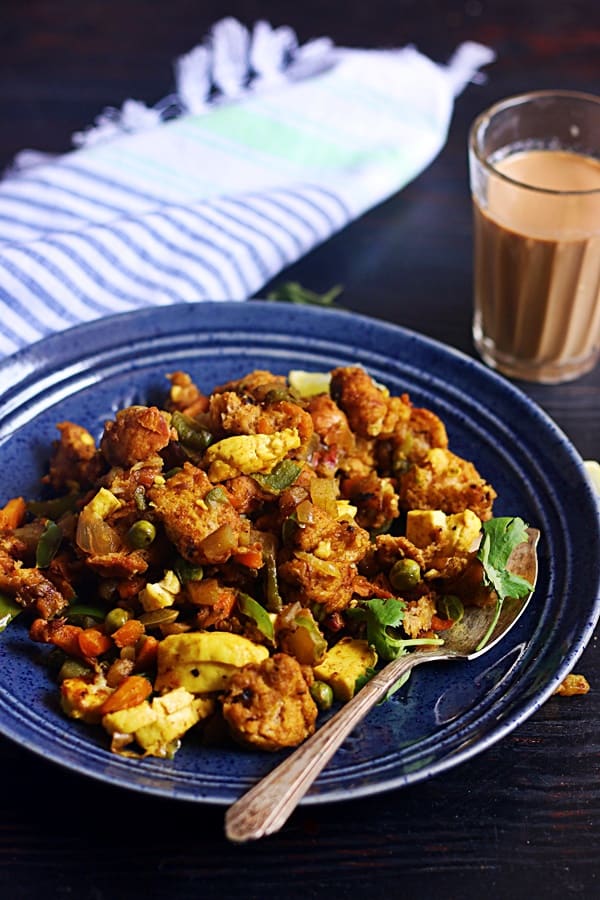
(447, 712)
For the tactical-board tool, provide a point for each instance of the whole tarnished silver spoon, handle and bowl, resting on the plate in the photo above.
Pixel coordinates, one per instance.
(267, 806)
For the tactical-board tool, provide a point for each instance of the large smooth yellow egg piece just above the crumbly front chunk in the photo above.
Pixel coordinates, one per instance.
(203, 662)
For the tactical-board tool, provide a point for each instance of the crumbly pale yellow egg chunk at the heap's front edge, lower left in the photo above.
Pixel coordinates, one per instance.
(157, 726)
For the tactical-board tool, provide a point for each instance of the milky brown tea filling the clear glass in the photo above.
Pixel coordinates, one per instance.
(537, 264)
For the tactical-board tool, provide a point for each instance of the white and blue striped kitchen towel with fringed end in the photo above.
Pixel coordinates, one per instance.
(265, 150)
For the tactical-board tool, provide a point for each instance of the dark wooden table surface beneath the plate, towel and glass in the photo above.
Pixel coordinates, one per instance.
(521, 820)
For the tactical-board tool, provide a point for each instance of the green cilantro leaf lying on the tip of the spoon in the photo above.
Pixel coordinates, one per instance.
(500, 536)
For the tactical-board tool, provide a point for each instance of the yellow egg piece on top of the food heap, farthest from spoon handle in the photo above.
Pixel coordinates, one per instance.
(245, 454)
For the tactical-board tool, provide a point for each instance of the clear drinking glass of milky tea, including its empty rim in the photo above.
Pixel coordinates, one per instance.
(534, 163)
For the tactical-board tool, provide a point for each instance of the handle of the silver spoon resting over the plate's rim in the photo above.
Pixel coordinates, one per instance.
(268, 805)
